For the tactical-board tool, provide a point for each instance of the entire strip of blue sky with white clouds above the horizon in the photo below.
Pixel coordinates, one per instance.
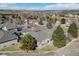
(39, 6)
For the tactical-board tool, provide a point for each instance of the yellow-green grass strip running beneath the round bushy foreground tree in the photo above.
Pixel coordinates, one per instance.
(15, 49)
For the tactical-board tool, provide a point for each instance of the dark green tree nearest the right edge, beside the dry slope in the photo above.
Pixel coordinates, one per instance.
(73, 30)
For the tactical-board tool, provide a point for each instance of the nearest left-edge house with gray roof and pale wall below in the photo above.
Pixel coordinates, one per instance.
(7, 38)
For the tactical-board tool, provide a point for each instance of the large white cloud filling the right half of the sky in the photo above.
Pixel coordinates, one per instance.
(61, 6)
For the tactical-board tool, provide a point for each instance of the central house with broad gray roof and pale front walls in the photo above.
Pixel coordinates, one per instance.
(42, 34)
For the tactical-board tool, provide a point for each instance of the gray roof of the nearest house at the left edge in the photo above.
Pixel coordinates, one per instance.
(6, 36)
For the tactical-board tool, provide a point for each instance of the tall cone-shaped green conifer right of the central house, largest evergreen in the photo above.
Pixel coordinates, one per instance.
(58, 37)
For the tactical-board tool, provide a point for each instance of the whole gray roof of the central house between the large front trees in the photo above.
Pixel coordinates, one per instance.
(40, 34)
